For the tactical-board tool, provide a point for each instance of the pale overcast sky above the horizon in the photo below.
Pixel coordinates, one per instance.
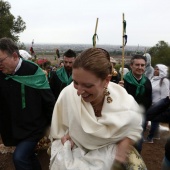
(73, 21)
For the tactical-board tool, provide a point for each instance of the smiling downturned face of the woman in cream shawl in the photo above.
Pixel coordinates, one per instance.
(90, 87)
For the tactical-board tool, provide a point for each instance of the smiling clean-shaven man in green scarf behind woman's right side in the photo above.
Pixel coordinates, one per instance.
(139, 86)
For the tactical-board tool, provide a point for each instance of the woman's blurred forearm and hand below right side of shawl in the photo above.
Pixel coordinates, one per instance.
(123, 149)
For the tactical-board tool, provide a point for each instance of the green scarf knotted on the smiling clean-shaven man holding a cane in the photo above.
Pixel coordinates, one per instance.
(140, 86)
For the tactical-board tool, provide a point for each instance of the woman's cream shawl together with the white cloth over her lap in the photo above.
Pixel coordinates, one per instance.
(95, 138)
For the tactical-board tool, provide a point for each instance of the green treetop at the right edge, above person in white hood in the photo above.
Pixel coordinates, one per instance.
(160, 53)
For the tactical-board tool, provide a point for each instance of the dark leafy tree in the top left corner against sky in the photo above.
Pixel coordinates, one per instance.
(10, 26)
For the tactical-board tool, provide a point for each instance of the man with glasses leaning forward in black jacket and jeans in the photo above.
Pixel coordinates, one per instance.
(26, 105)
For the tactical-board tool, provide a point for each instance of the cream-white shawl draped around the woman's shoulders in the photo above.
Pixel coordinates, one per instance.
(121, 118)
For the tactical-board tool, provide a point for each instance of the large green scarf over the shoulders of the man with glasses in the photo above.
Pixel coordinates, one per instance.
(37, 81)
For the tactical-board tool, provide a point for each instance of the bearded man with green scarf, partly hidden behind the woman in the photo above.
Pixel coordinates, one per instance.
(63, 76)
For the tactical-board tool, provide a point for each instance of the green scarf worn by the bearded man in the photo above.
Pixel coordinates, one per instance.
(62, 75)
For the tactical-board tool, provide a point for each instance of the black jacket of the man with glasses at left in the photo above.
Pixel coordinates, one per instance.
(16, 123)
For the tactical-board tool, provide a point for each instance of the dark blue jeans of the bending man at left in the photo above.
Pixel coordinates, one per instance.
(24, 156)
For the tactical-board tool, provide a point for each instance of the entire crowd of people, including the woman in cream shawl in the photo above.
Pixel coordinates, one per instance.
(96, 119)
